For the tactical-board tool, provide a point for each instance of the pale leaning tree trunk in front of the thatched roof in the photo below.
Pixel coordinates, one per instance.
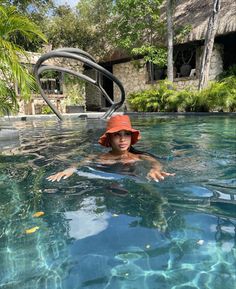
(208, 45)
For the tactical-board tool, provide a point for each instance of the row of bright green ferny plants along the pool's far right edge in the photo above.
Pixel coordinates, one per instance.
(218, 96)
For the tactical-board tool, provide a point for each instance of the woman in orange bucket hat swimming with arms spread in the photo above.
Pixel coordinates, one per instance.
(120, 136)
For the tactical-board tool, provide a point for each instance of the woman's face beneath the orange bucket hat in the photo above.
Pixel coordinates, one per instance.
(120, 141)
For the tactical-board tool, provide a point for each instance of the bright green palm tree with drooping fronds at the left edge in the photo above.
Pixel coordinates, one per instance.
(12, 72)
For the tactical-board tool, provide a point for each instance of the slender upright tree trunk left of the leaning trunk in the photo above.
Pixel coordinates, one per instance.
(170, 66)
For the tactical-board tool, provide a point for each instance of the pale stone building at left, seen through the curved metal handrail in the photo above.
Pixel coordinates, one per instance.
(62, 91)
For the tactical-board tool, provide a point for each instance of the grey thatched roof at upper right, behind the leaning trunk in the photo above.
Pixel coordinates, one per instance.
(197, 12)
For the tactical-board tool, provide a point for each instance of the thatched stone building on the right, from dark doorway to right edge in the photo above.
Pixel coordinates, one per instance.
(134, 73)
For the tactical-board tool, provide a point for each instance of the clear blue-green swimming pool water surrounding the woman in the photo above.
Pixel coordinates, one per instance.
(112, 228)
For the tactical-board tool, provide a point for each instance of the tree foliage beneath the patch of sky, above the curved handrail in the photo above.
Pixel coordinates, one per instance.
(85, 27)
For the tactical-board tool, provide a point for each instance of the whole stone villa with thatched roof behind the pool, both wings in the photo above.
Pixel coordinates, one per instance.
(135, 73)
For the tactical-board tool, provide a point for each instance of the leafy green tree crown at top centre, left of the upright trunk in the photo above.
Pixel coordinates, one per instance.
(138, 29)
